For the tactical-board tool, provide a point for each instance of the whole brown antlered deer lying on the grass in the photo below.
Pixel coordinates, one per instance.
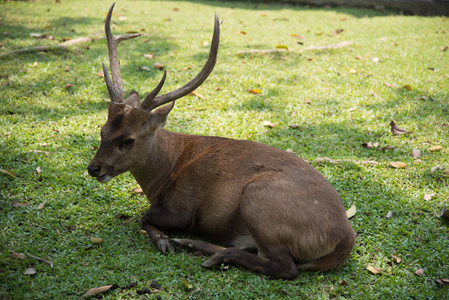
(274, 210)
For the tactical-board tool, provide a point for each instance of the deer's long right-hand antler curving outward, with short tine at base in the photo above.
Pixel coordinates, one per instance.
(152, 101)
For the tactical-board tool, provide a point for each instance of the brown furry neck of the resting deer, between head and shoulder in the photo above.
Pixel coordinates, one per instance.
(158, 164)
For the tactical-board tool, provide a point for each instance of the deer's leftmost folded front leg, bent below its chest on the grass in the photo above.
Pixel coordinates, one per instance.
(157, 217)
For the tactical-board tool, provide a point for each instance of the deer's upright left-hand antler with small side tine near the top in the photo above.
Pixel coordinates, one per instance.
(115, 88)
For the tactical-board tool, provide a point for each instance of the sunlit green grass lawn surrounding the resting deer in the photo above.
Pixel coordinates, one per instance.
(346, 109)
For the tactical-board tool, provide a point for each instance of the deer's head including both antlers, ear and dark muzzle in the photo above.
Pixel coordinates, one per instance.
(132, 124)
